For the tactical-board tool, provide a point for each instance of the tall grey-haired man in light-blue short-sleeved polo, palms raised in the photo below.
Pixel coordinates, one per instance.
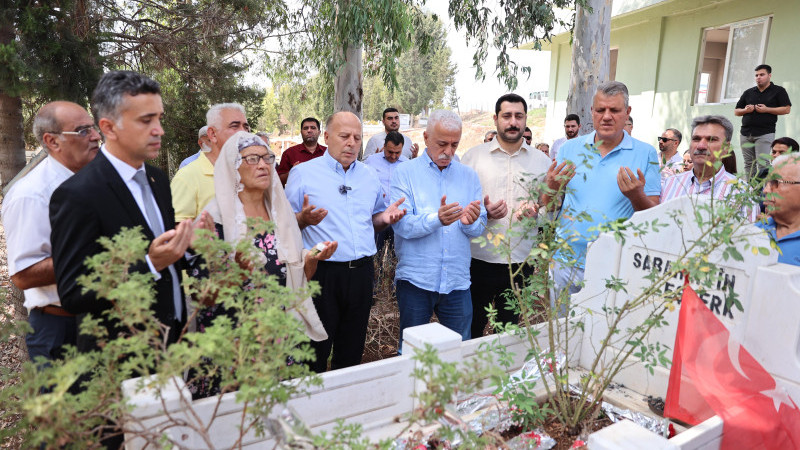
(604, 176)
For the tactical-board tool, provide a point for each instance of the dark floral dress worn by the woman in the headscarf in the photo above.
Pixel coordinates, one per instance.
(208, 386)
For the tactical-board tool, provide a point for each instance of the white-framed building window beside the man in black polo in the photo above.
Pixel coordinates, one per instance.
(728, 56)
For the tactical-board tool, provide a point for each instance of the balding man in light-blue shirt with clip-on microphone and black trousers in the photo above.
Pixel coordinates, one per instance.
(351, 209)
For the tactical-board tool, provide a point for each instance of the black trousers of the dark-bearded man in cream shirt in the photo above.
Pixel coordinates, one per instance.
(488, 283)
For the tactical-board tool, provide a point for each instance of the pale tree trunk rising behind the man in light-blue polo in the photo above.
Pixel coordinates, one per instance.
(590, 58)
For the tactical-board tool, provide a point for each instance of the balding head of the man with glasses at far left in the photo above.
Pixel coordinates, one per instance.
(68, 133)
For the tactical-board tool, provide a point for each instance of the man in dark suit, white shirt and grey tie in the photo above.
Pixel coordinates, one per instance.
(117, 189)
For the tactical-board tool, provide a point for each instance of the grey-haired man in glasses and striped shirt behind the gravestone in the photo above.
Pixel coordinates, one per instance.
(711, 142)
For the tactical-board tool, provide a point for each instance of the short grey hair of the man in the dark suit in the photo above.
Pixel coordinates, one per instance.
(113, 87)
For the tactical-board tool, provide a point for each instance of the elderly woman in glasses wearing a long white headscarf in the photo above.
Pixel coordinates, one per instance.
(247, 186)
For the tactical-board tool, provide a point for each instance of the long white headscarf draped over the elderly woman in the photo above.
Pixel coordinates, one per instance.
(227, 209)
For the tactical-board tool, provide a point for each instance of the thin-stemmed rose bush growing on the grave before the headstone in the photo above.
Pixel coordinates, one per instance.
(550, 321)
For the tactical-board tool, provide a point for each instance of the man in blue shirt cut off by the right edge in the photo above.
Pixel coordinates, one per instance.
(782, 201)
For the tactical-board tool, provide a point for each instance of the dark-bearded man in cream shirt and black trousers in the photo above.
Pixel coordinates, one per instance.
(506, 166)
